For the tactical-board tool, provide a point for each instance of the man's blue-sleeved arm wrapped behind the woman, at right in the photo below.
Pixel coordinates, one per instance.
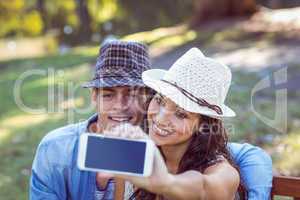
(256, 169)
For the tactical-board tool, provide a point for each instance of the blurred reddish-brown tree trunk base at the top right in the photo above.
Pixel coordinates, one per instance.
(212, 9)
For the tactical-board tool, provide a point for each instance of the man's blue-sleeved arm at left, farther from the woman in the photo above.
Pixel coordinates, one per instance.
(45, 183)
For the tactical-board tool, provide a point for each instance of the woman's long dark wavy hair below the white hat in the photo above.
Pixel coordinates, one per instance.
(206, 147)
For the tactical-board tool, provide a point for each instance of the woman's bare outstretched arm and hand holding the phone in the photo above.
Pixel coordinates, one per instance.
(219, 181)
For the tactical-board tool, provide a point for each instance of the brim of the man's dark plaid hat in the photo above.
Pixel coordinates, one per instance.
(114, 82)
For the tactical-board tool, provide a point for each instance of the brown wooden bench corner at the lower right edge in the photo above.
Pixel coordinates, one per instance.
(286, 186)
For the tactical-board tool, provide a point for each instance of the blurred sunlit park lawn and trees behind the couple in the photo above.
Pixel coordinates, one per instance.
(58, 42)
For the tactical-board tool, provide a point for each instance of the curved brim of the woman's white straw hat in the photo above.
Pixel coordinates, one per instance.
(152, 78)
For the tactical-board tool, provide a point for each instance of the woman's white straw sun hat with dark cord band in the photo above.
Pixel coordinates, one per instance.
(194, 82)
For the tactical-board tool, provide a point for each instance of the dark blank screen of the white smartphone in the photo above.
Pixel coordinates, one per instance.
(115, 154)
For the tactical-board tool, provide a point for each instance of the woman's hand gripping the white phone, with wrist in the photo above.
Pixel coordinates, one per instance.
(160, 179)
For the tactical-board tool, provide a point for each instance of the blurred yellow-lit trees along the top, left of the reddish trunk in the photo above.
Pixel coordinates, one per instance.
(36, 17)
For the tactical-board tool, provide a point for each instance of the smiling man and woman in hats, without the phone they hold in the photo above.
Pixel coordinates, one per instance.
(185, 110)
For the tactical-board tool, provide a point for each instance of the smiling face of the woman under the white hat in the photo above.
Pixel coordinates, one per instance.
(170, 124)
